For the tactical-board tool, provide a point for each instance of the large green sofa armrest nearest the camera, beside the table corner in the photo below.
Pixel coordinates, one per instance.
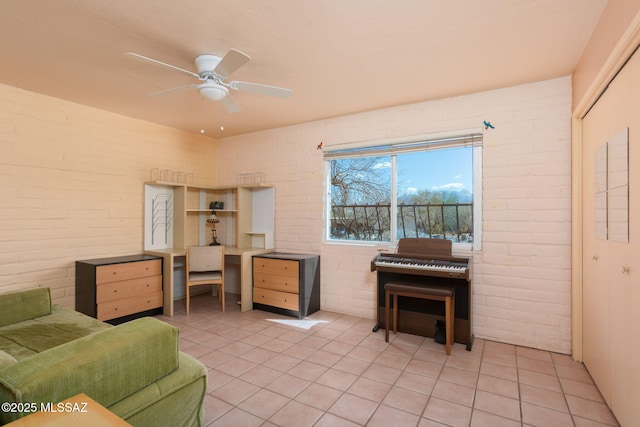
(107, 366)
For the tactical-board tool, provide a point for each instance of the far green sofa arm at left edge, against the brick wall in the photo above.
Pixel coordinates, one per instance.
(24, 305)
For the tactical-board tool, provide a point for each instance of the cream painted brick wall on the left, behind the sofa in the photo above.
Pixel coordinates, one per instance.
(72, 185)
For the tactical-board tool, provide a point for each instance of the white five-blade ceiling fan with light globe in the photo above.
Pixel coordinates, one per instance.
(212, 71)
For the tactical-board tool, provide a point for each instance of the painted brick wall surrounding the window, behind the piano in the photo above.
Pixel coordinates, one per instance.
(521, 277)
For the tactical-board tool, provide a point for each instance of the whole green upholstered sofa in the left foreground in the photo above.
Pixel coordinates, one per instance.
(49, 353)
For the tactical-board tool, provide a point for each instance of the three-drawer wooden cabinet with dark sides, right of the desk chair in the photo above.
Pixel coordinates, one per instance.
(287, 283)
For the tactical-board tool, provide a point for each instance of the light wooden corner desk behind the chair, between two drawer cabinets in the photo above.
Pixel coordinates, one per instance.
(244, 255)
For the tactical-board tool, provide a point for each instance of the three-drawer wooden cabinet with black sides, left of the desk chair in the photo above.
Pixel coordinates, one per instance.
(120, 287)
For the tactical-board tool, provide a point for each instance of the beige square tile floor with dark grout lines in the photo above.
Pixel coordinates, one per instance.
(339, 373)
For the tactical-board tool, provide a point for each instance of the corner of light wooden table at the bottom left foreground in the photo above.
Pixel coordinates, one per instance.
(77, 411)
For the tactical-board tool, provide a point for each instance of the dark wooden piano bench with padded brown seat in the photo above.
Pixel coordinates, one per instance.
(446, 293)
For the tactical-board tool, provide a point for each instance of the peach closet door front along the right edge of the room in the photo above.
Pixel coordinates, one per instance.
(611, 275)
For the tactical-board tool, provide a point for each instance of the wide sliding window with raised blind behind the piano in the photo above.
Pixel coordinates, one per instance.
(423, 188)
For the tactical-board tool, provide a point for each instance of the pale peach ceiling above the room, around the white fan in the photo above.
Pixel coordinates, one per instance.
(338, 56)
